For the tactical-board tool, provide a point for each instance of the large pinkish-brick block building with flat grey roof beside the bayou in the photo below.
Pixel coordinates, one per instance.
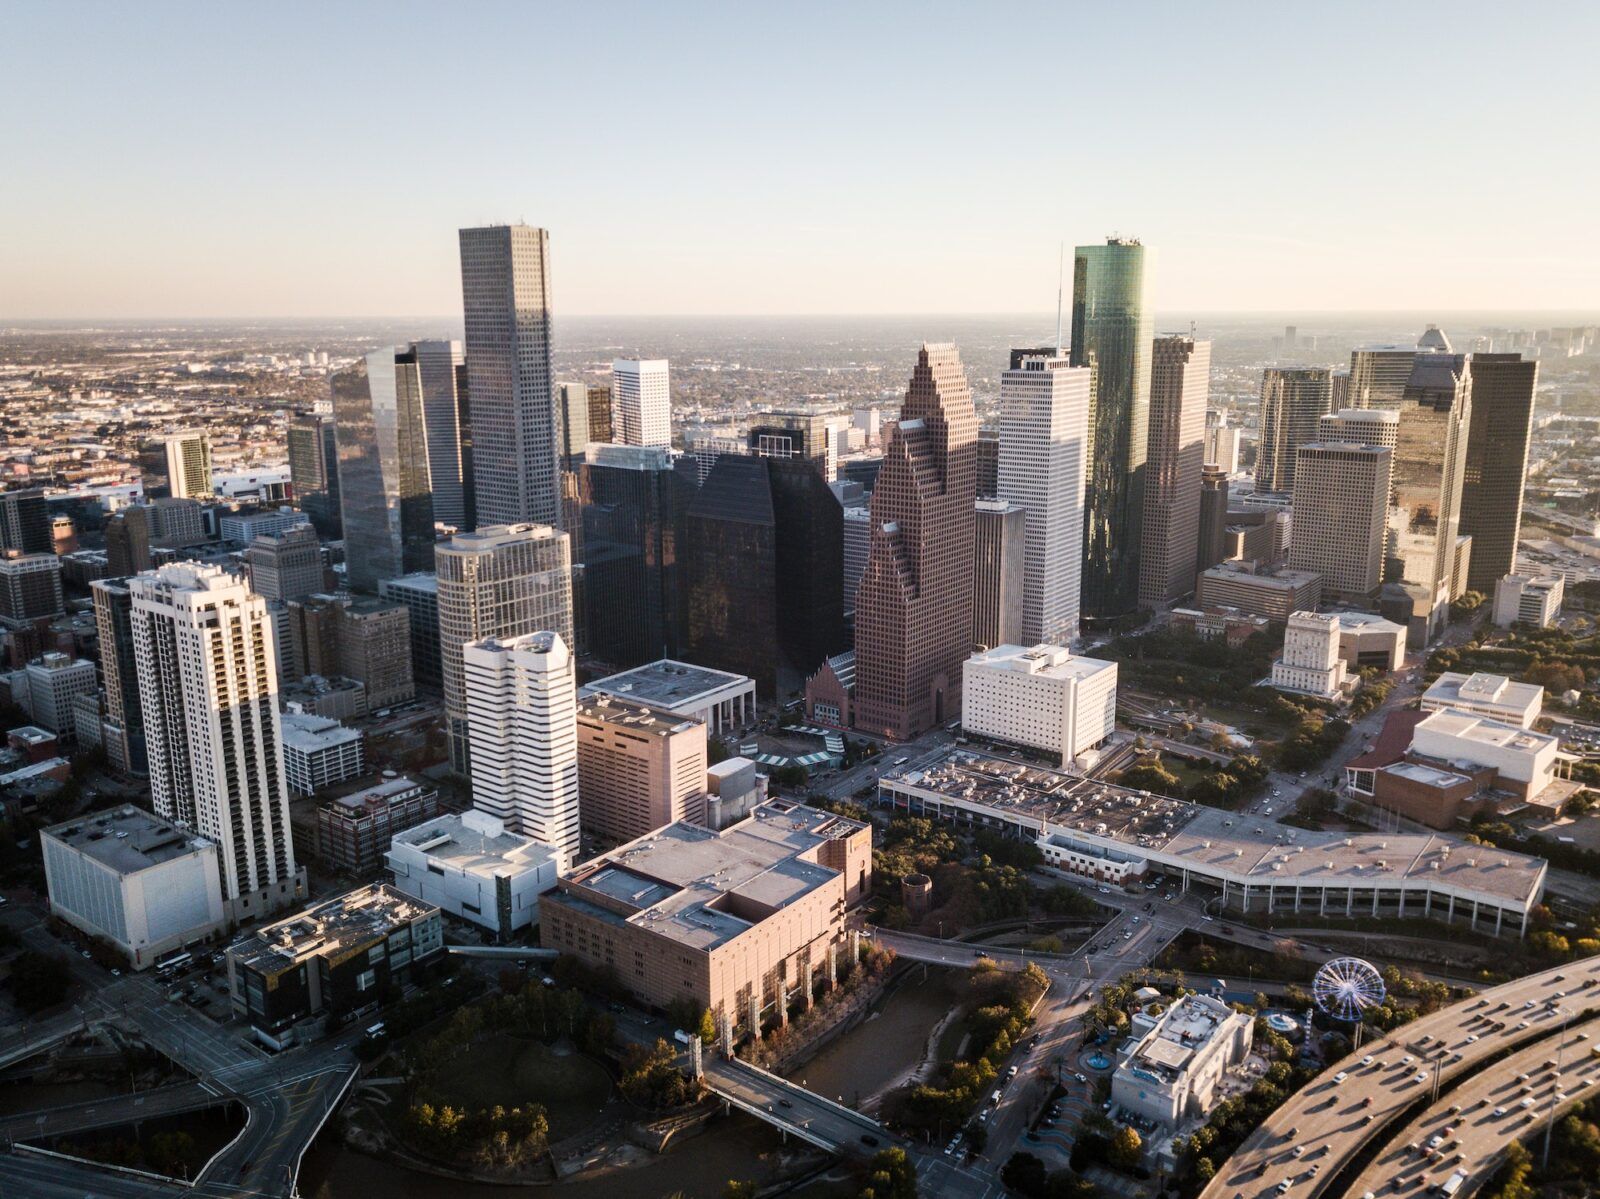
(737, 923)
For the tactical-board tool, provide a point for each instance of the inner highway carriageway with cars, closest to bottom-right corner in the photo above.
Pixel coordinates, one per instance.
(1526, 1089)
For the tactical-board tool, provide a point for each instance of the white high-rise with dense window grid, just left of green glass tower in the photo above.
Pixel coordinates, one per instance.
(1042, 463)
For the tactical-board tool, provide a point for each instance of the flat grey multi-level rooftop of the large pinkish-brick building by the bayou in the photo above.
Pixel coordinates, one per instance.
(703, 889)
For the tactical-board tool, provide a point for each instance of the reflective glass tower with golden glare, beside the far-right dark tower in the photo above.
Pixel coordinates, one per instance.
(1425, 515)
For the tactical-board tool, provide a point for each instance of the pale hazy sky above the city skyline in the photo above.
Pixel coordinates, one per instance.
(250, 159)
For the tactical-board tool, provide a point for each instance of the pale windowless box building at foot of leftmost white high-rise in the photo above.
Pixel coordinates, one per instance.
(135, 880)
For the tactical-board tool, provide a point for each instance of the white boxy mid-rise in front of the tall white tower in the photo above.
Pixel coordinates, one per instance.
(1041, 697)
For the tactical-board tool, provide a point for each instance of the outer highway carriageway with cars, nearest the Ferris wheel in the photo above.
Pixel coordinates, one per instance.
(1396, 1075)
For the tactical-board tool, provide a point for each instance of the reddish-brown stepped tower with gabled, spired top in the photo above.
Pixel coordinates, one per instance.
(914, 608)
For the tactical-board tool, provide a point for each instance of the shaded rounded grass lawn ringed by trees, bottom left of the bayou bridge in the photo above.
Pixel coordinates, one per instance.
(510, 1072)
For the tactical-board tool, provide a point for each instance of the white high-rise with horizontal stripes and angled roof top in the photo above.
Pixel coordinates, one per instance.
(522, 712)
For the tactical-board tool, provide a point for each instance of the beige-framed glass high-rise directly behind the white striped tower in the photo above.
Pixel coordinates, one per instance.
(497, 582)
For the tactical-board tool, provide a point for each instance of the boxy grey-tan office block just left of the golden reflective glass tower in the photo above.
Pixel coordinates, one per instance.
(1340, 516)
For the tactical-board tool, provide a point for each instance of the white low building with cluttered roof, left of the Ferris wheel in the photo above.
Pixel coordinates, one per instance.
(1174, 1073)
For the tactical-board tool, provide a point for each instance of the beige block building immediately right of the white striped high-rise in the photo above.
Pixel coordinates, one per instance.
(638, 769)
